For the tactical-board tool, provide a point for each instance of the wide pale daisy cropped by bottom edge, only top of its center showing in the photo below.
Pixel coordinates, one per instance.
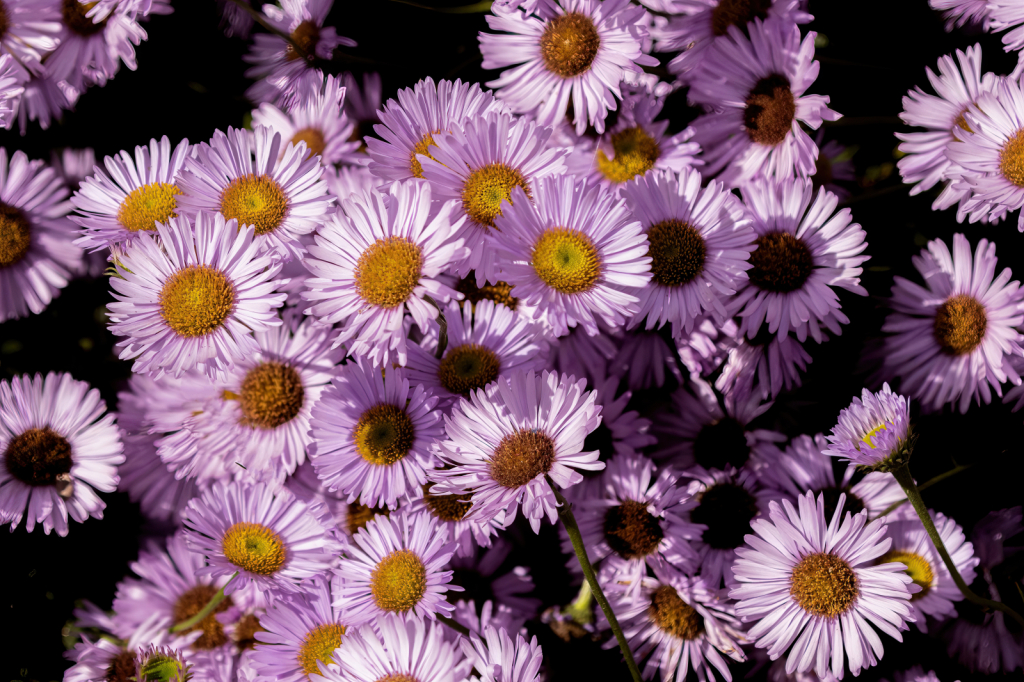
(396, 650)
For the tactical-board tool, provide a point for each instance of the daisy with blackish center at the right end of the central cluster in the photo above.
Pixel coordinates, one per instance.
(804, 251)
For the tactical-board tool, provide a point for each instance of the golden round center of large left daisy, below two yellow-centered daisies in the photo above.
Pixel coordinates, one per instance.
(197, 301)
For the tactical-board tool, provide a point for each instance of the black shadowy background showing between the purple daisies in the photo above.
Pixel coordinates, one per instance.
(190, 82)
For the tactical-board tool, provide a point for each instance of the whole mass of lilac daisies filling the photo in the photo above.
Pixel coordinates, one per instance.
(367, 337)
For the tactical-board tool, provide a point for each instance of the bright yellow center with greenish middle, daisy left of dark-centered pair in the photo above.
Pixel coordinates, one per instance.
(567, 261)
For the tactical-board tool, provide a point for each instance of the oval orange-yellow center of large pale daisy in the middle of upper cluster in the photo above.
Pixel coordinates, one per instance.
(389, 272)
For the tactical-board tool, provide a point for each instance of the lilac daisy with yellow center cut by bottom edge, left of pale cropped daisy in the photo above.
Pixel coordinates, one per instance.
(298, 638)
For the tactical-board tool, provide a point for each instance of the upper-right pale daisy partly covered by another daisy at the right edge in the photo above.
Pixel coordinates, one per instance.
(957, 89)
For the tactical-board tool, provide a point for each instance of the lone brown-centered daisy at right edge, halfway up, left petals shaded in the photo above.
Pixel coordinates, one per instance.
(953, 342)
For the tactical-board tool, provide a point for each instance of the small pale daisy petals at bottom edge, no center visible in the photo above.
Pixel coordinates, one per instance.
(496, 658)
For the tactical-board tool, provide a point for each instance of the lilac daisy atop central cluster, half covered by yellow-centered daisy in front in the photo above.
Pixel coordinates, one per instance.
(408, 127)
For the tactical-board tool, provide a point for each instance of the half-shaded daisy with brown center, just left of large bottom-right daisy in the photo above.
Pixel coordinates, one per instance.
(678, 624)
